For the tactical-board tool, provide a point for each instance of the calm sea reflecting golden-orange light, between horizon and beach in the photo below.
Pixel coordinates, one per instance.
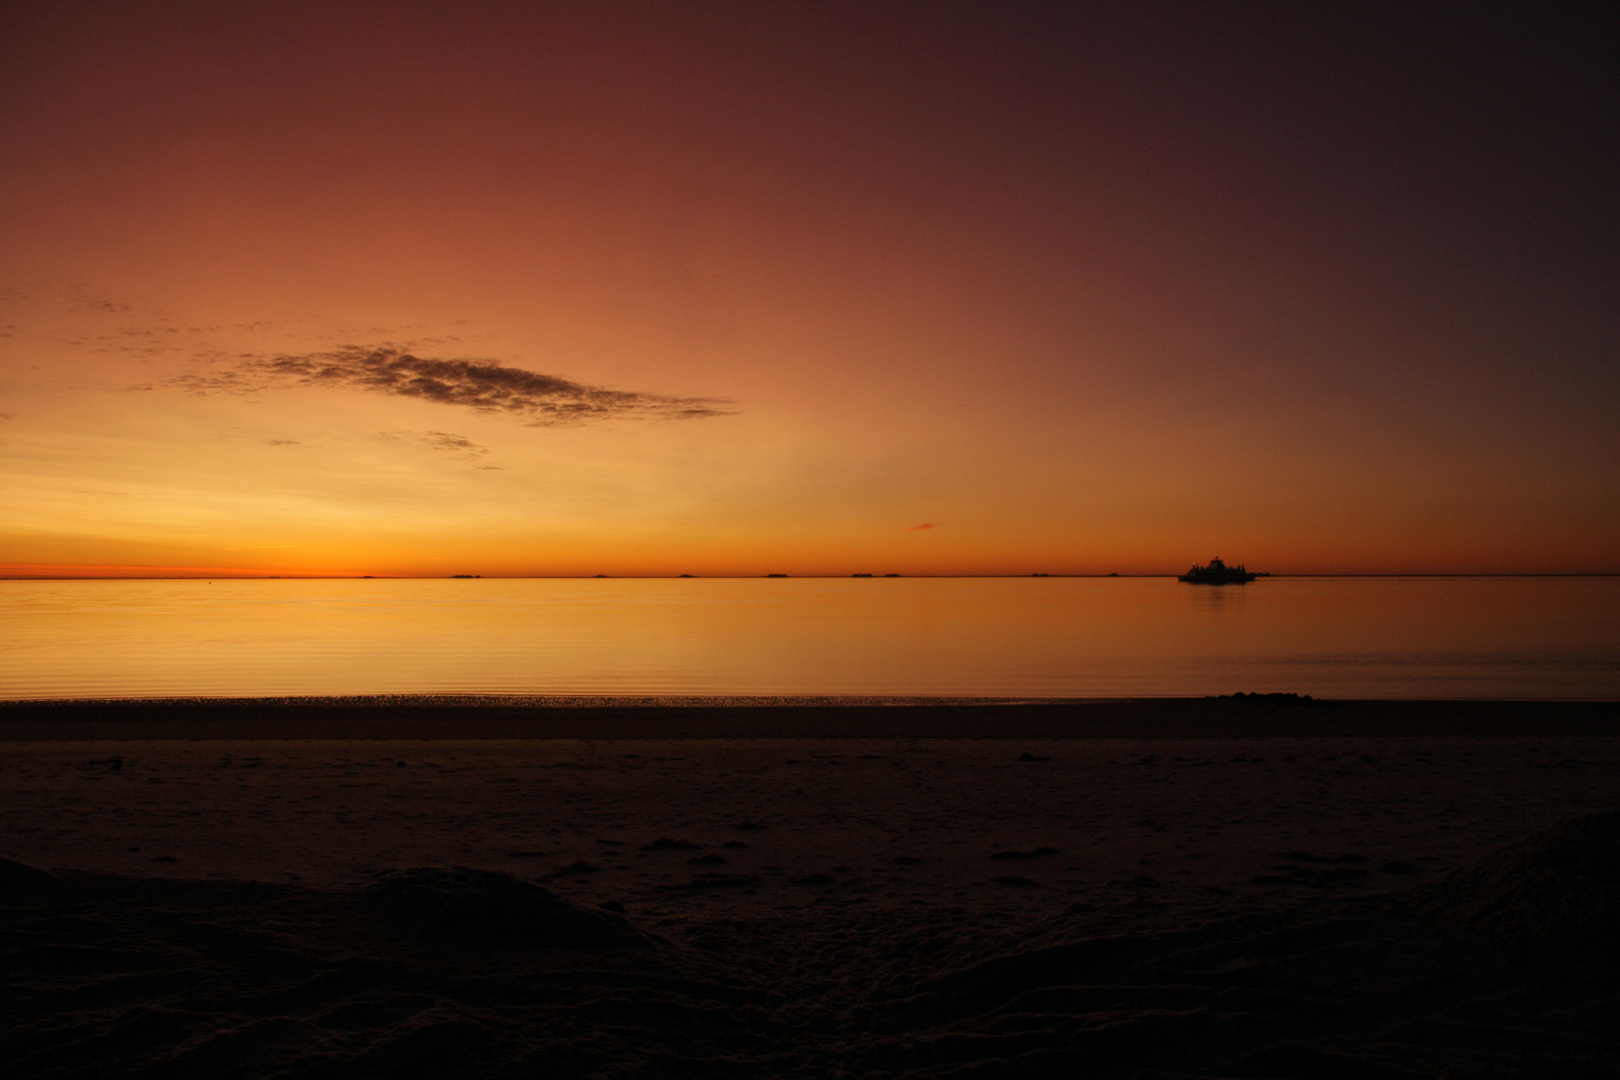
(809, 637)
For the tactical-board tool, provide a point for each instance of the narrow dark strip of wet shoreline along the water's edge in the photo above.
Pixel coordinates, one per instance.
(412, 716)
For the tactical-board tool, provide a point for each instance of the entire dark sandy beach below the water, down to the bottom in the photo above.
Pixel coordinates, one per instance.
(1345, 903)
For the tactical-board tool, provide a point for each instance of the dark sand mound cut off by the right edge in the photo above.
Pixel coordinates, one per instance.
(1553, 898)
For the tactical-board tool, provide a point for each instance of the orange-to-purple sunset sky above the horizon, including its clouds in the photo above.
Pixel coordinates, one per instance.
(736, 289)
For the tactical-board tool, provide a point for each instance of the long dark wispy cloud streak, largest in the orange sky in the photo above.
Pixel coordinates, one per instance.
(479, 385)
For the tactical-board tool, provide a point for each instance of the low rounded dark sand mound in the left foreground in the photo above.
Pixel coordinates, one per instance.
(463, 904)
